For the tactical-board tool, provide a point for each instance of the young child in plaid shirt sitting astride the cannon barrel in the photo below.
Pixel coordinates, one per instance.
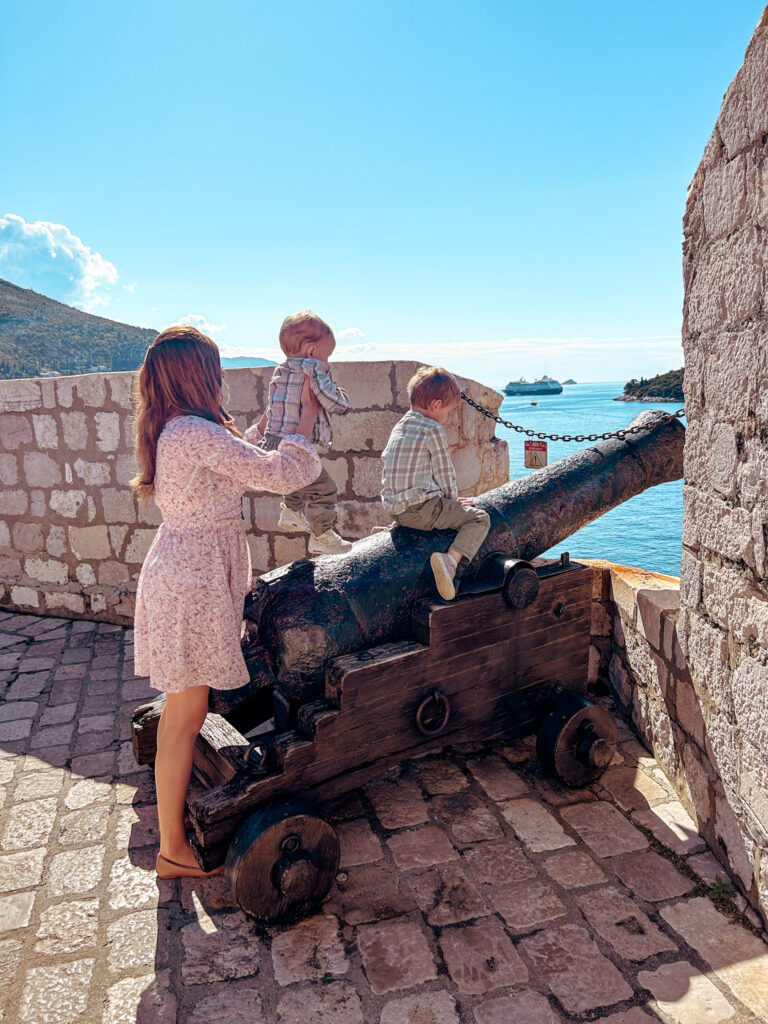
(419, 482)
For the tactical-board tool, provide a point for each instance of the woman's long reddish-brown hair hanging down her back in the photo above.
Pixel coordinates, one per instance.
(181, 376)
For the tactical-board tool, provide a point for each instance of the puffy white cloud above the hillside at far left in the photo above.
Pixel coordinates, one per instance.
(51, 260)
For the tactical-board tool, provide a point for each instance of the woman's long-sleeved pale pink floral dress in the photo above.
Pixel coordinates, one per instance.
(198, 571)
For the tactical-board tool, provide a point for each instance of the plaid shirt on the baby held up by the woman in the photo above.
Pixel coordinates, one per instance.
(285, 398)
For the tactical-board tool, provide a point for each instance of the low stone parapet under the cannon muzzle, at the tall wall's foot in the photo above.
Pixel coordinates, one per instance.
(637, 624)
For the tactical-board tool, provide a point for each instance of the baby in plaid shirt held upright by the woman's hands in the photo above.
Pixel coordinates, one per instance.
(309, 343)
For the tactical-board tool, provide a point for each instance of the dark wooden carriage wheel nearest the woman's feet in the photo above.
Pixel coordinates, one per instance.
(282, 863)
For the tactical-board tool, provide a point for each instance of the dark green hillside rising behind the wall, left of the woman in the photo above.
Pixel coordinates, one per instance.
(38, 334)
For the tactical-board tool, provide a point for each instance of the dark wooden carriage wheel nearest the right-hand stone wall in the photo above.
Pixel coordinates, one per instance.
(577, 741)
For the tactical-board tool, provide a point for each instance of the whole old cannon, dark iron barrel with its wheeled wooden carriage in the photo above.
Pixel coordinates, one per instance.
(356, 666)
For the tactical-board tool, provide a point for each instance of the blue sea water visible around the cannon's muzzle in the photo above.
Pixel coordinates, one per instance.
(647, 531)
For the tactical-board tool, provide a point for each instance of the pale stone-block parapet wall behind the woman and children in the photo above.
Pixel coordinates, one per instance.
(73, 537)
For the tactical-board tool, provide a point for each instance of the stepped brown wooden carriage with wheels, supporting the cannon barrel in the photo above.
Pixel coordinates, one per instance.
(508, 658)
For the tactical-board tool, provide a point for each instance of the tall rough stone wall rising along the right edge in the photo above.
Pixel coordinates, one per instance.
(723, 625)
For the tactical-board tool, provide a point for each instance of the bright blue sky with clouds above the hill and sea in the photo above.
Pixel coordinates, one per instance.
(497, 187)
